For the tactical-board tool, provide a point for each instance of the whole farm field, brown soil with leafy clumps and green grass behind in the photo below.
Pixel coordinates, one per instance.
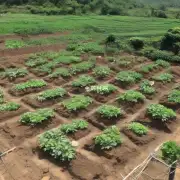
(56, 100)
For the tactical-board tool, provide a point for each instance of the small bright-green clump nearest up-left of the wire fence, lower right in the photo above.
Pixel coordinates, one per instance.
(138, 128)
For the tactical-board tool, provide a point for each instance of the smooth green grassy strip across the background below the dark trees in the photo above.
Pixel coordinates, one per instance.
(120, 25)
